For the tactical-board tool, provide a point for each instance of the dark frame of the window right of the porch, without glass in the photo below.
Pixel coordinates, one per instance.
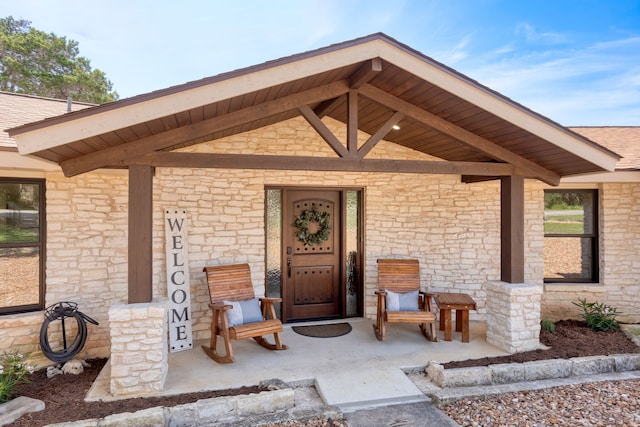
(594, 236)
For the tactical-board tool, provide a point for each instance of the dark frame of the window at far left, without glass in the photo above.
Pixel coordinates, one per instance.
(41, 245)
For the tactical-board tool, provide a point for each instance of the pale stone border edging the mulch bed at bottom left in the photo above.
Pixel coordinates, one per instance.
(202, 412)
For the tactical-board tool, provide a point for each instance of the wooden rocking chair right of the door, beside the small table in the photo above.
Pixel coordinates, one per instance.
(399, 283)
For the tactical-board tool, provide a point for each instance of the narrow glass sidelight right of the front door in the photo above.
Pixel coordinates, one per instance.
(352, 265)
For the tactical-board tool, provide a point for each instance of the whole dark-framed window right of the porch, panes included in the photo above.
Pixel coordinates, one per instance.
(570, 236)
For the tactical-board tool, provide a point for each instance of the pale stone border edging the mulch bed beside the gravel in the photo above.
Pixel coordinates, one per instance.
(507, 373)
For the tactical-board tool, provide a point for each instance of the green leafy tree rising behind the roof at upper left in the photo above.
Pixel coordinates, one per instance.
(36, 63)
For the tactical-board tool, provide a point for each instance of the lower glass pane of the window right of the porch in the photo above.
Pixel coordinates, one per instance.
(568, 258)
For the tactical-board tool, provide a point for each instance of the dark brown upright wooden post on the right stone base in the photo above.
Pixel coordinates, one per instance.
(512, 229)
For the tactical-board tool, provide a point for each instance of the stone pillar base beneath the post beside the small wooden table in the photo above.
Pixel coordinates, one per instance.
(513, 315)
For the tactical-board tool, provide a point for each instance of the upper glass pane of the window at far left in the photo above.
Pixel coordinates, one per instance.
(19, 213)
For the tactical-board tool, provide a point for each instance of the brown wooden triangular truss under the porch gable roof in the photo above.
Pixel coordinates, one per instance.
(155, 150)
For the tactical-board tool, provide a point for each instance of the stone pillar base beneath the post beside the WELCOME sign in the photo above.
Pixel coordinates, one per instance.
(139, 348)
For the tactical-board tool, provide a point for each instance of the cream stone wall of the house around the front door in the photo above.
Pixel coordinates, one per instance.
(452, 228)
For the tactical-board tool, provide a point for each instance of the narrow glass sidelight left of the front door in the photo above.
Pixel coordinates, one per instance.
(274, 245)
